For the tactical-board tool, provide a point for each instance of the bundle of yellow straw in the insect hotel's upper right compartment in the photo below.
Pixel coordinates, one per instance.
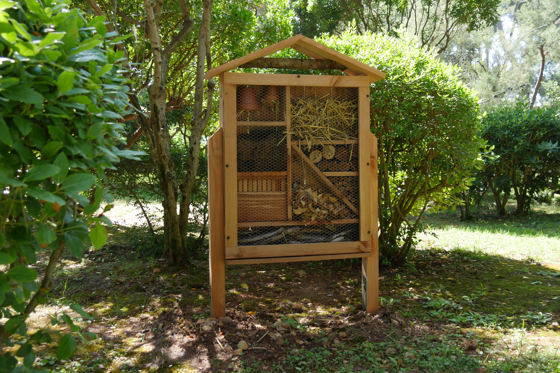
(322, 119)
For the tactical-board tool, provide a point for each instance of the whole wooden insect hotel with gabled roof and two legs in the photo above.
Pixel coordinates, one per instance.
(293, 168)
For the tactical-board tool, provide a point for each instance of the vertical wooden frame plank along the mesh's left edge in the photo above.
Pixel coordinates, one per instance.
(230, 166)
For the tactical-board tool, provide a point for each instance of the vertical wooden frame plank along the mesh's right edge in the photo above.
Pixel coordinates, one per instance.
(364, 152)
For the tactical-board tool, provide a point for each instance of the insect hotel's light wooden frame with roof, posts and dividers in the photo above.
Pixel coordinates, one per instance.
(276, 186)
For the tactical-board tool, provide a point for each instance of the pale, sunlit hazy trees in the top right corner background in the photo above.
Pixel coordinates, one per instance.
(517, 59)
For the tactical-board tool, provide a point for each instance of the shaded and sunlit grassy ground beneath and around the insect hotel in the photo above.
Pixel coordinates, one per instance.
(480, 296)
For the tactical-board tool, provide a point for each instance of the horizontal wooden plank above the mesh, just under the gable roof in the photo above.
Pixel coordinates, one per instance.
(296, 80)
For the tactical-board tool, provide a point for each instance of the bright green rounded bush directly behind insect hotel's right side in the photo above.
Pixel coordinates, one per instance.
(426, 121)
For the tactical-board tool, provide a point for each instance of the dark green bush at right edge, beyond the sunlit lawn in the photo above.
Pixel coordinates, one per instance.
(527, 158)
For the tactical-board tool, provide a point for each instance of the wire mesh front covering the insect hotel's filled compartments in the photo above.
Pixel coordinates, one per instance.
(297, 165)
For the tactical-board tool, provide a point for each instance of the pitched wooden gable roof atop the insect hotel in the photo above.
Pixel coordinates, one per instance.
(310, 48)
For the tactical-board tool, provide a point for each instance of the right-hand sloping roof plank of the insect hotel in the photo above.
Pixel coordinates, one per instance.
(307, 46)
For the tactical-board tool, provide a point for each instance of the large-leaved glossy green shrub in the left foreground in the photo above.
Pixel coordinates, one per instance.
(60, 97)
